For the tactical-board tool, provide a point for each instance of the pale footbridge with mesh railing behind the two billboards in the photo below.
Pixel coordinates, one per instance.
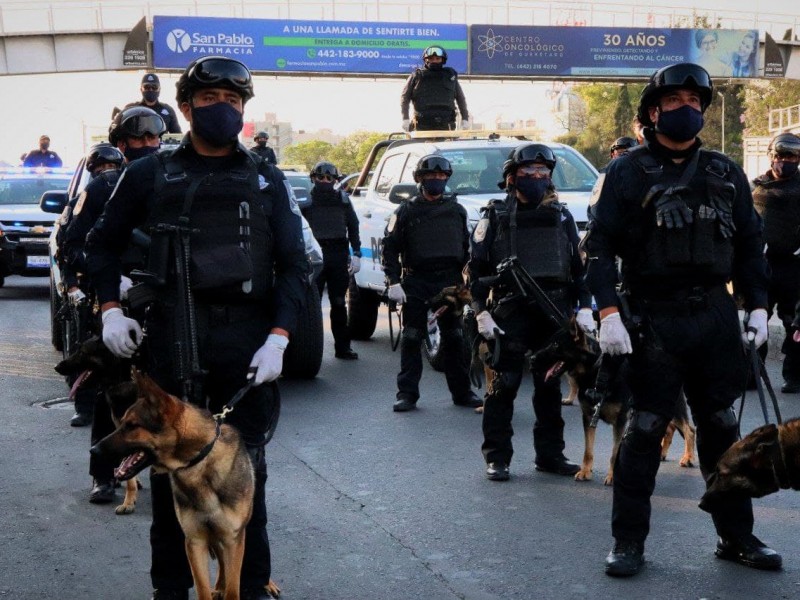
(81, 36)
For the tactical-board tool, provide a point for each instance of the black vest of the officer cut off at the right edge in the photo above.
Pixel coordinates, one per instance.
(778, 203)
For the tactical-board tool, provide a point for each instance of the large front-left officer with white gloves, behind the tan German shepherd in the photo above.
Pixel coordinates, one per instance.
(247, 281)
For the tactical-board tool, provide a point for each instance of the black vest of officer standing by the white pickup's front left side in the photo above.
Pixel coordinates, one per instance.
(434, 234)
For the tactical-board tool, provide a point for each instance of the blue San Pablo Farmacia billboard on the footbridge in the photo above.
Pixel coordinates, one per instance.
(306, 46)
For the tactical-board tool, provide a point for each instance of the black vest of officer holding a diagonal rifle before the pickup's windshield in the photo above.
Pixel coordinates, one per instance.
(542, 243)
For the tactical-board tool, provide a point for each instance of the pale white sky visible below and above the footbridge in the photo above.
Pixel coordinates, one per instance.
(71, 107)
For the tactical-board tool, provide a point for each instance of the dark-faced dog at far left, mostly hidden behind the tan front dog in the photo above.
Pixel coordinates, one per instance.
(94, 364)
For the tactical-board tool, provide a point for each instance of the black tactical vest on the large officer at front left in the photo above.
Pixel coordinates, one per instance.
(228, 212)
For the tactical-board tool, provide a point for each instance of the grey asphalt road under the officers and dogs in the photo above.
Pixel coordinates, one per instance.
(364, 503)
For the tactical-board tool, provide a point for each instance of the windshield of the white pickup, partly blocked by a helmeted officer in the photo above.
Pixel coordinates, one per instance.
(478, 170)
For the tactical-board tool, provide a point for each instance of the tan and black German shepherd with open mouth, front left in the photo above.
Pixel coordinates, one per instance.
(211, 474)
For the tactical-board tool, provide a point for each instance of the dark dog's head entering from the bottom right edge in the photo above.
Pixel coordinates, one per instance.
(761, 463)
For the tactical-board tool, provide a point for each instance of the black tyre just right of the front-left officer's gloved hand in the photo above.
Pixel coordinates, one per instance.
(303, 357)
